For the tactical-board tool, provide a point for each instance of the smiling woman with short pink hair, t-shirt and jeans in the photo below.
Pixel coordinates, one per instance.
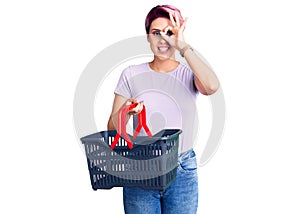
(163, 84)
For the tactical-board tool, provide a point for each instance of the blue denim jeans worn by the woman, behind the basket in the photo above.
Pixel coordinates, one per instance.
(181, 197)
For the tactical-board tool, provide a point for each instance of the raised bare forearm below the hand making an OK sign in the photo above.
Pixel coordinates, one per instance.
(206, 80)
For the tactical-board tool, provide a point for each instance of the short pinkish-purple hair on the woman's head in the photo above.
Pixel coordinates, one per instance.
(161, 11)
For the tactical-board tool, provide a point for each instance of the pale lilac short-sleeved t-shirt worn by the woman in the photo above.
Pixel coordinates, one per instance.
(169, 99)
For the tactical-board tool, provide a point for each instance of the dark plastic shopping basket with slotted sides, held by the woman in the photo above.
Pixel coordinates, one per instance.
(134, 161)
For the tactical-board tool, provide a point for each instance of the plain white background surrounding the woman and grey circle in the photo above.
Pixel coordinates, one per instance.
(253, 47)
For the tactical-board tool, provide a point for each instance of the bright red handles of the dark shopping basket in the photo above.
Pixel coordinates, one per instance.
(122, 125)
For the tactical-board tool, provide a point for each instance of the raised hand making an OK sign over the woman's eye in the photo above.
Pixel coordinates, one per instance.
(174, 34)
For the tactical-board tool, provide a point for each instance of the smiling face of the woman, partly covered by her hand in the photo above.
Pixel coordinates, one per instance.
(160, 47)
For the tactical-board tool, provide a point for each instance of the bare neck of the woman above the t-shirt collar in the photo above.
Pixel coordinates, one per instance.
(163, 66)
